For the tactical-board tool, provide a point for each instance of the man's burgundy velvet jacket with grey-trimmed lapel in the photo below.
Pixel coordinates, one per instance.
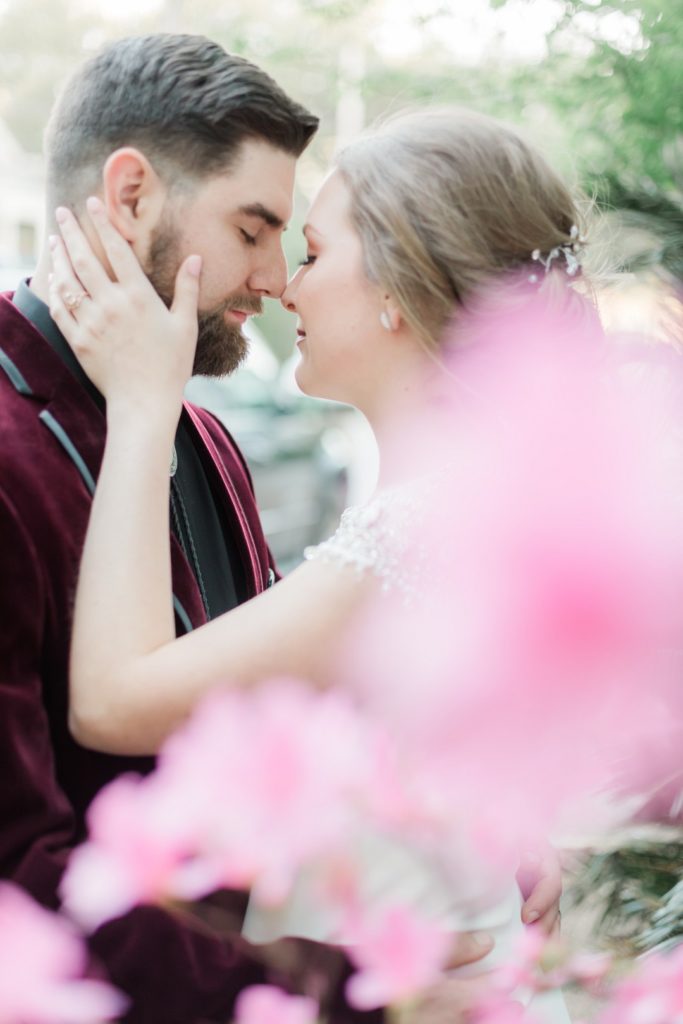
(52, 441)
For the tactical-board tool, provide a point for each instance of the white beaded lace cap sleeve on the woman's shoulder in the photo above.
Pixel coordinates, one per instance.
(379, 538)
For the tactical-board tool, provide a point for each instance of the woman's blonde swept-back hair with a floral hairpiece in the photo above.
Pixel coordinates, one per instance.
(447, 201)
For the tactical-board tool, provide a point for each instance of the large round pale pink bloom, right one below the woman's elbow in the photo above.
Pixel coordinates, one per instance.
(274, 779)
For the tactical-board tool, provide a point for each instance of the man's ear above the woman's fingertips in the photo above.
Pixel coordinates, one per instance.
(134, 194)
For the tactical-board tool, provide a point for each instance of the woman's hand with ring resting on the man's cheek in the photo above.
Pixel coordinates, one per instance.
(139, 353)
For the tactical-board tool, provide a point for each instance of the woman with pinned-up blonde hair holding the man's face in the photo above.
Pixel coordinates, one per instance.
(411, 227)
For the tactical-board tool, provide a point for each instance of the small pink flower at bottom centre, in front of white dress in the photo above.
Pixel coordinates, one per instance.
(399, 955)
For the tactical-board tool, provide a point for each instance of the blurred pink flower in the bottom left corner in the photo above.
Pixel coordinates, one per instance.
(42, 961)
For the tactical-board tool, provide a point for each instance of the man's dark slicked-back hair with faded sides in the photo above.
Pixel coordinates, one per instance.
(182, 100)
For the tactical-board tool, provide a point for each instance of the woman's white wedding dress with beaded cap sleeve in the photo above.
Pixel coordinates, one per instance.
(371, 538)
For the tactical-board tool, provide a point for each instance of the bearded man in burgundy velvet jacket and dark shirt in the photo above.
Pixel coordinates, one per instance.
(192, 150)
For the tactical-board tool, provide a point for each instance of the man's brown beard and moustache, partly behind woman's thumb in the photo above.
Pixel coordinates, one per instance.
(221, 346)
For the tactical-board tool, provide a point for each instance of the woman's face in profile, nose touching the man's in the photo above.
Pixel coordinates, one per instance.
(343, 345)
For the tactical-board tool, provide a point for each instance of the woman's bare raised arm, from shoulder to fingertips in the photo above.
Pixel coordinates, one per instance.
(132, 681)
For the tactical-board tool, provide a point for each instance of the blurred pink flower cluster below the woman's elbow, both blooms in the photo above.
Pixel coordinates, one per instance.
(250, 791)
